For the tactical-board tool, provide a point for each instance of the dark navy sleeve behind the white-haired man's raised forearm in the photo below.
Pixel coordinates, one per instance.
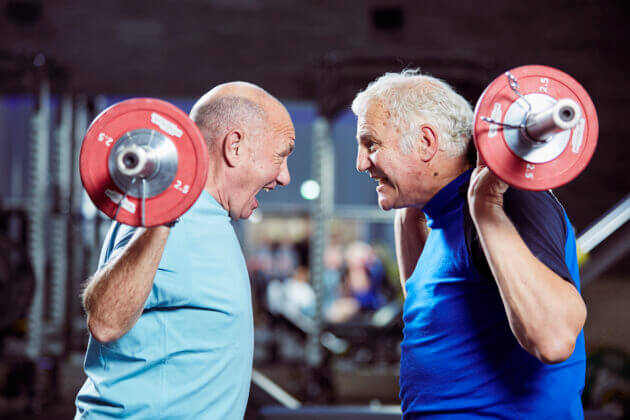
(539, 219)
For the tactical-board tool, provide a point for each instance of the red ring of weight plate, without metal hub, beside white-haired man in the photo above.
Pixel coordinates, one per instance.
(496, 153)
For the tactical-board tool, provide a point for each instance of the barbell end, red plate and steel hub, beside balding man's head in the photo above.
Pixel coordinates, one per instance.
(143, 162)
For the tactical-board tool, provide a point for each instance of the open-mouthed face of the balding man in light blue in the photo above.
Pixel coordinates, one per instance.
(266, 161)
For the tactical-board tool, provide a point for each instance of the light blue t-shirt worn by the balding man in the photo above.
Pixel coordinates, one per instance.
(190, 353)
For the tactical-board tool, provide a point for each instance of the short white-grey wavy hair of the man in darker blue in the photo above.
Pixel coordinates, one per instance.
(412, 99)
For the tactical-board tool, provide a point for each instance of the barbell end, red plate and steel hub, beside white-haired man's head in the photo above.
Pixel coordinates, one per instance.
(535, 127)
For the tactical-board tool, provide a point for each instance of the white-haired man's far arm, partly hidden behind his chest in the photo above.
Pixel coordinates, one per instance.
(410, 233)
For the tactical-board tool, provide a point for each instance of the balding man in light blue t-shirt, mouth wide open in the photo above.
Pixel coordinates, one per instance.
(169, 309)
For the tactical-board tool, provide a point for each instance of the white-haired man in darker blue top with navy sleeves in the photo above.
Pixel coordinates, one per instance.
(493, 313)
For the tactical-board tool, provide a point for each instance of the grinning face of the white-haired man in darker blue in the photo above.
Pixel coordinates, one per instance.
(401, 177)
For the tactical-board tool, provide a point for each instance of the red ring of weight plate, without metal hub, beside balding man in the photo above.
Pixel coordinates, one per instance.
(154, 114)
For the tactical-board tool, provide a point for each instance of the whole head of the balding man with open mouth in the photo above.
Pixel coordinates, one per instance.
(250, 136)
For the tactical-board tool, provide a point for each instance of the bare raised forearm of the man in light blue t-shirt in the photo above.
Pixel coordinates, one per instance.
(115, 295)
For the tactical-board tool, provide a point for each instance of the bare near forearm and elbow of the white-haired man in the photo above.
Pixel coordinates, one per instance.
(545, 312)
